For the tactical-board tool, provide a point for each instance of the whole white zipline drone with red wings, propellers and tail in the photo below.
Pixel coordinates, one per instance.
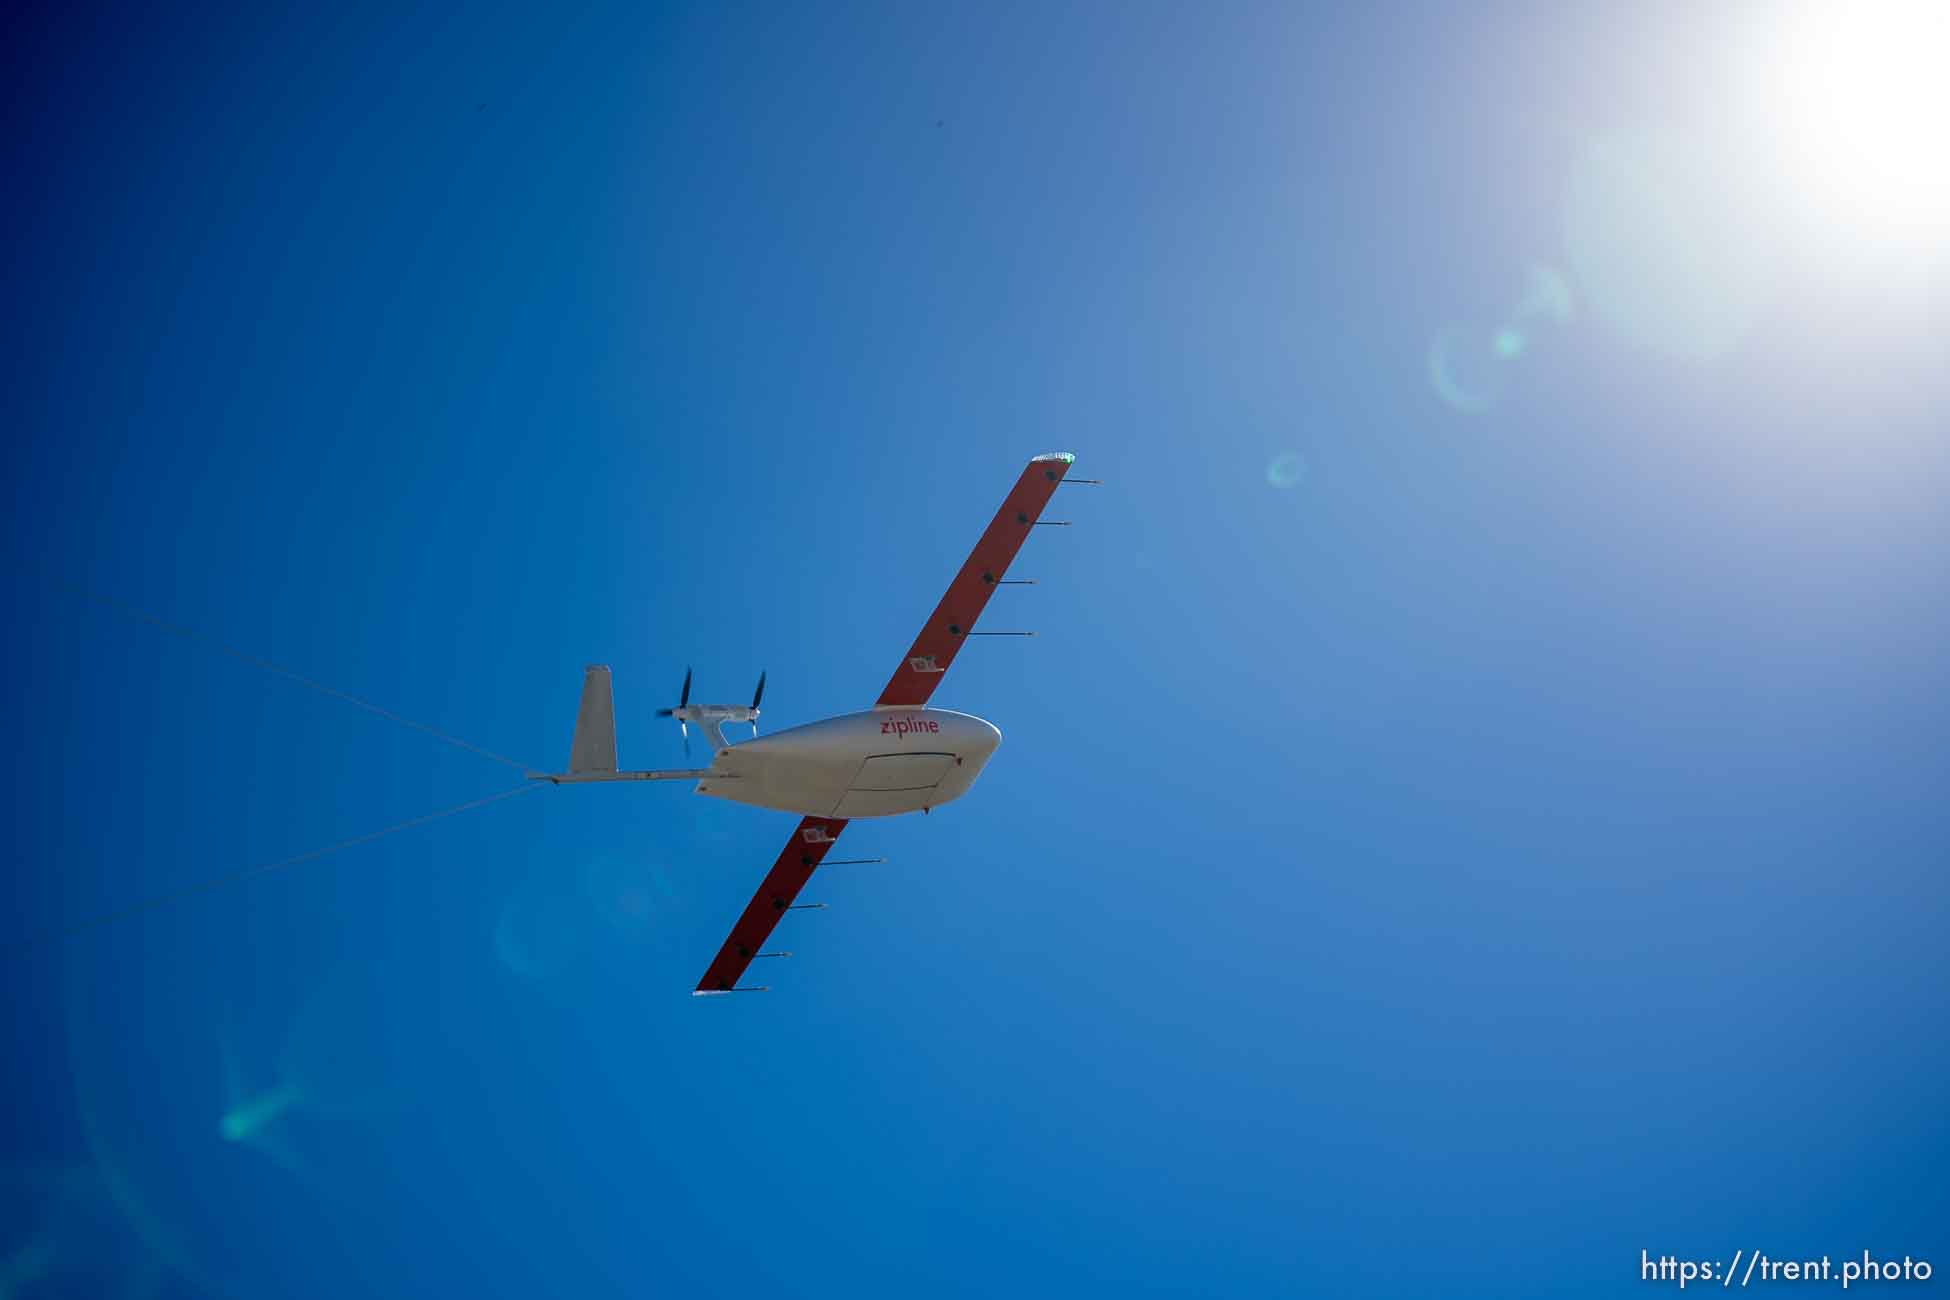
(898, 757)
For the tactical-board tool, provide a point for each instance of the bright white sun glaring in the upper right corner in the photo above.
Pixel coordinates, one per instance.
(1857, 95)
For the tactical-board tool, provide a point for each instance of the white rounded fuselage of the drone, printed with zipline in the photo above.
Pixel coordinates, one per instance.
(859, 765)
